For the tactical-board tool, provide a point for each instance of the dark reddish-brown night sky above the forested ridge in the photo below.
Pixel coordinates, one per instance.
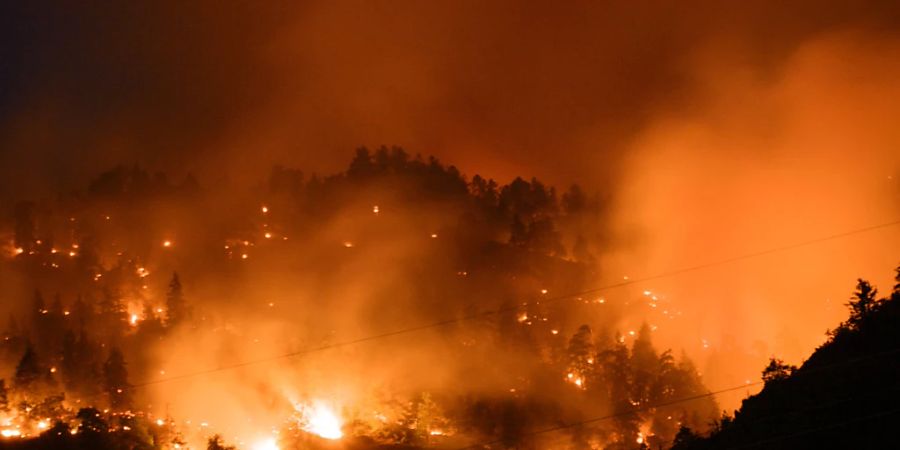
(506, 88)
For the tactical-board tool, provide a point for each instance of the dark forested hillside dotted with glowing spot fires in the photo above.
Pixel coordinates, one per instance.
(79, 339)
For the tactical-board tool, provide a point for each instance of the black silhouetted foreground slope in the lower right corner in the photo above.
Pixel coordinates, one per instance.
(846, 395)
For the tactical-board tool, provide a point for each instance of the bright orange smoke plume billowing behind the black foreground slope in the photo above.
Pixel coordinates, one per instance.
(770, 160)
